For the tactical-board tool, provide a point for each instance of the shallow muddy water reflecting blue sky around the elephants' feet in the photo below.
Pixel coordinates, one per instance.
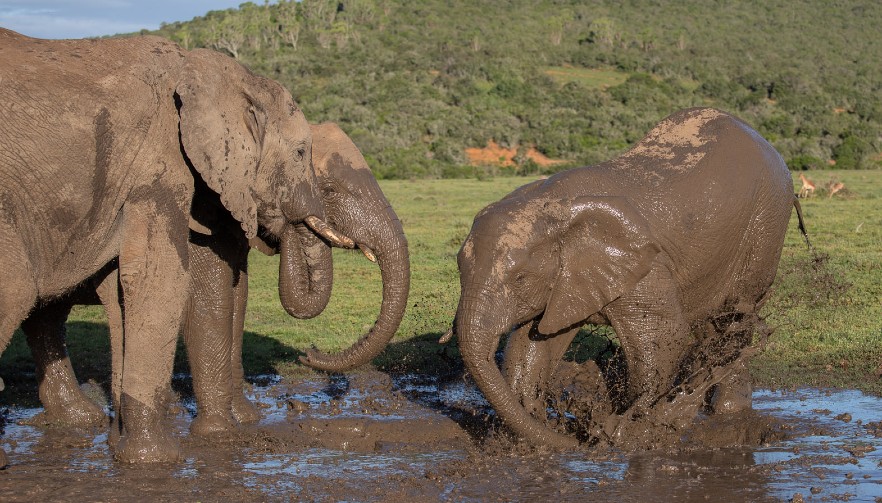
(831, 453)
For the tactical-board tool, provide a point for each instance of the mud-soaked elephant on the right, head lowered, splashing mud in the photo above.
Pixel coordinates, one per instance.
(682, 231)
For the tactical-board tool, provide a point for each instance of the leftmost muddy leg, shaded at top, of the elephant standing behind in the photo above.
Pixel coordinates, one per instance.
(63, 401)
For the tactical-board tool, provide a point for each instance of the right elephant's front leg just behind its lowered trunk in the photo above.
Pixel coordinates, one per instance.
(529, 362)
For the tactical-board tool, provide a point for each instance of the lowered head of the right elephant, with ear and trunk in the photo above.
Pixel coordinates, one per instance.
(543, 260)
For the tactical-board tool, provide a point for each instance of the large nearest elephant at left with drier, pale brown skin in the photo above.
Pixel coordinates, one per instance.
(105, 147)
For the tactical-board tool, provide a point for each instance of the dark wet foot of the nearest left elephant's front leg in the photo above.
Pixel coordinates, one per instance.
(145, 439)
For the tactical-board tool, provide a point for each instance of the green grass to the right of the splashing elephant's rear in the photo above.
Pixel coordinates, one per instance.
(825, 338)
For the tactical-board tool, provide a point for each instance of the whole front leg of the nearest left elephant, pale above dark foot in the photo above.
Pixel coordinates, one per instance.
(155, 286)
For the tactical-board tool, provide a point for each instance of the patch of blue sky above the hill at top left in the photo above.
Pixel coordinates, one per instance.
(90, 18)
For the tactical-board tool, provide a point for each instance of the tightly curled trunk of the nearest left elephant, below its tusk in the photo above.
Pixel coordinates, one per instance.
(306, 272)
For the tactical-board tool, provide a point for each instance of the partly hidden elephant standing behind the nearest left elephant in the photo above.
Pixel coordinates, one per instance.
(213, 326)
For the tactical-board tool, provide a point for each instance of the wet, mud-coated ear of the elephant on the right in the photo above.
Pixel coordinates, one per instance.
(605, 249)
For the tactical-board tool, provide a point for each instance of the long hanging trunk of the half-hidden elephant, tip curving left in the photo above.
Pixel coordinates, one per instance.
(392, 257)
